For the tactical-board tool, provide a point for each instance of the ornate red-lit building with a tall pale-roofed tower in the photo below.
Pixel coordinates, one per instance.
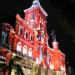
(28, 45)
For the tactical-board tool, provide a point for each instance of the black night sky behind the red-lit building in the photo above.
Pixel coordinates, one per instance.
(61, 18)
